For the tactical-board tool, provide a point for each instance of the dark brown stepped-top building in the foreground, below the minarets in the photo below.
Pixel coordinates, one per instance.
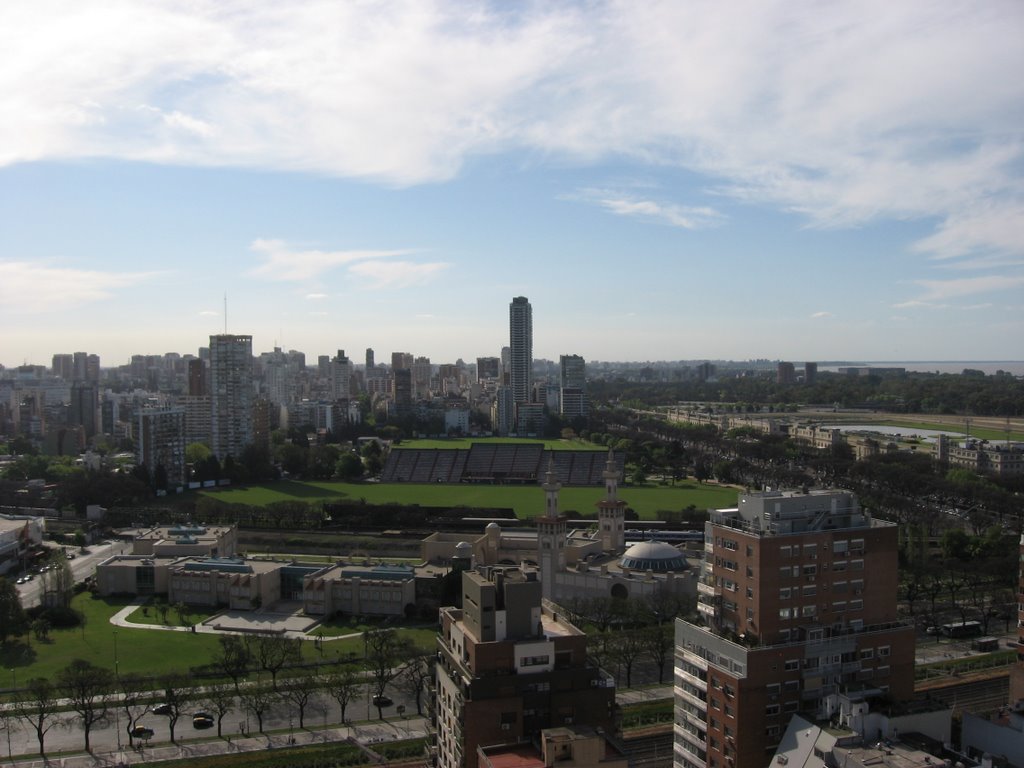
(510, 667)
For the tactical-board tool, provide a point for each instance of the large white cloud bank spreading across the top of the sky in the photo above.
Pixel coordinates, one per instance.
(845, 113)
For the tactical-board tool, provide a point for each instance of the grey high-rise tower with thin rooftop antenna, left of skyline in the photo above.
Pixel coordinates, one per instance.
(231, 395)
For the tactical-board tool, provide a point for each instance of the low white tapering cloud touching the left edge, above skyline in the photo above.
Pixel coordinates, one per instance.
(33, 288)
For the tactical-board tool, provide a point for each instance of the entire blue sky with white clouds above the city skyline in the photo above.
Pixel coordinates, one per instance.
(663, 181)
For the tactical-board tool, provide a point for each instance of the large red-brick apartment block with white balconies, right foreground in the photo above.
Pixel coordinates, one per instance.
(798, 595)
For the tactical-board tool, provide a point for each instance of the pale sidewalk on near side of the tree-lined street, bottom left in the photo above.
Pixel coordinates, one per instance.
(367, 734)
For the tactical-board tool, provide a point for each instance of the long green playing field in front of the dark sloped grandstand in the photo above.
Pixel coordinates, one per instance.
(528, 501)
